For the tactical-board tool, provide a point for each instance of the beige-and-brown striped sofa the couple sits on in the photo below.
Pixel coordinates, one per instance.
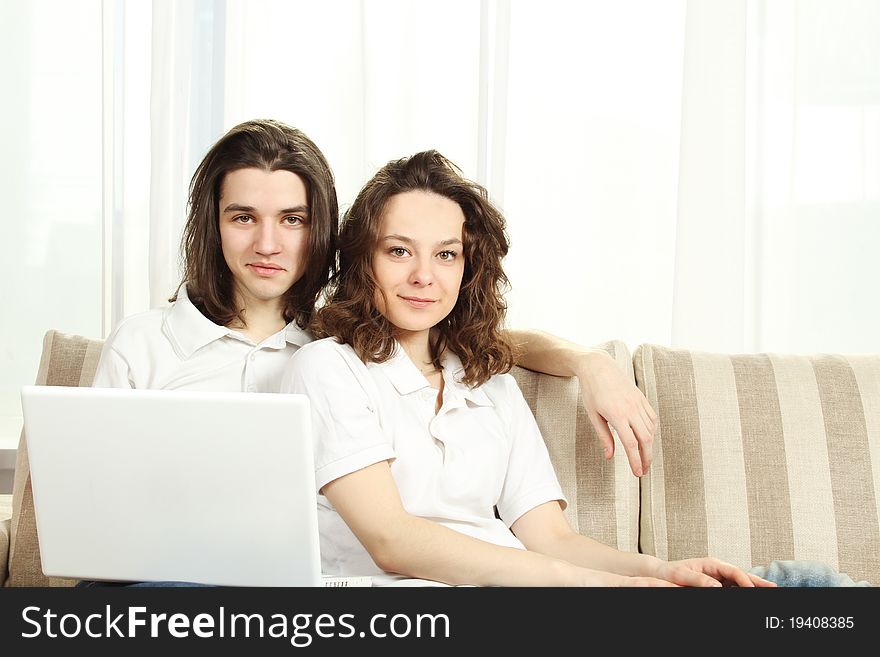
(757, 457)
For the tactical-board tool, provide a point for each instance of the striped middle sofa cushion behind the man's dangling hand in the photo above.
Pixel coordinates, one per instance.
(603, 496)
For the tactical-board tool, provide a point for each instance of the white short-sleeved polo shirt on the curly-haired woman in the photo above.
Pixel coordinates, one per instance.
(481, 451)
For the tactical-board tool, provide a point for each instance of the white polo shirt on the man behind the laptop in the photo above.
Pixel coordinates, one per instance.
(179, 348)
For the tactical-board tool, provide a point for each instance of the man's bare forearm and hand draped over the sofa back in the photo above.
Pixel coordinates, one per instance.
(610, 398)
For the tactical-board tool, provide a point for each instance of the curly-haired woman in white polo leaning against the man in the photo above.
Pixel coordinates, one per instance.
(428, 460)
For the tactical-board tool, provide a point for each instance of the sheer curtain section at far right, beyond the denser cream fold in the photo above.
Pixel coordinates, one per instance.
(816, 175)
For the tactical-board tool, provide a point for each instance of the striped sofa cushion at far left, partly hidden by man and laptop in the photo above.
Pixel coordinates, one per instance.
(67, 360)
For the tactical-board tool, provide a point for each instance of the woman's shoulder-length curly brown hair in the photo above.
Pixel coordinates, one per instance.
(473, 329)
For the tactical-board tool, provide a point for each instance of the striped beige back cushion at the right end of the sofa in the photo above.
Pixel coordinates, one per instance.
(763, 457)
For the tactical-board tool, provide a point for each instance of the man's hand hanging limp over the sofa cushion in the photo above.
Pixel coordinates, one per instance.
(610, 398)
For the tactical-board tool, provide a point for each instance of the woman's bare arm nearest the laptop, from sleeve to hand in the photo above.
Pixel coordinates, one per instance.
(398, 542)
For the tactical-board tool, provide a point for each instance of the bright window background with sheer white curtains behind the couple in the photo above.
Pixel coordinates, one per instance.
(703, 174)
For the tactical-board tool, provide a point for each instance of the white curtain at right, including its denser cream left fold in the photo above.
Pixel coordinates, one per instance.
(779, 177)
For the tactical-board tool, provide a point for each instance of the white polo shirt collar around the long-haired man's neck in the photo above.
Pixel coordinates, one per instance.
(189, 330)
